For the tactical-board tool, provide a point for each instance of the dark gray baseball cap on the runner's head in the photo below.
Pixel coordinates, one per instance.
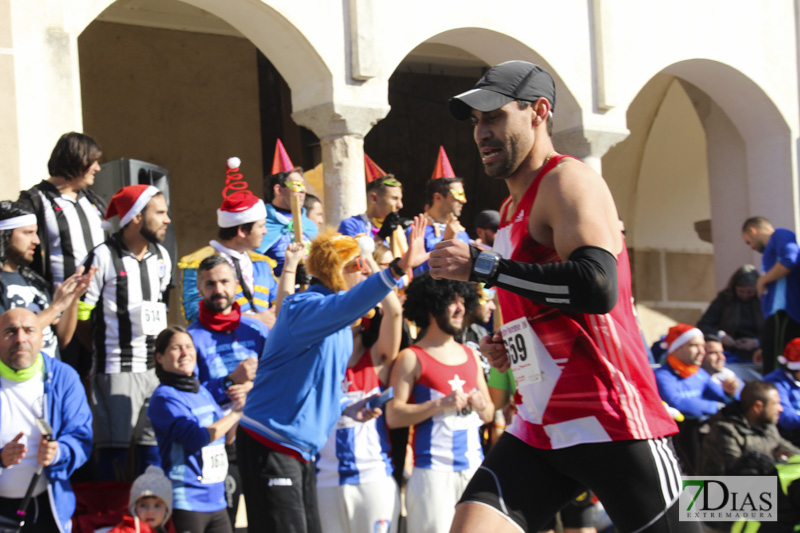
(504, 83)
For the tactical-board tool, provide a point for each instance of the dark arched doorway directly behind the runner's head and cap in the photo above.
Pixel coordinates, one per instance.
(406, 142)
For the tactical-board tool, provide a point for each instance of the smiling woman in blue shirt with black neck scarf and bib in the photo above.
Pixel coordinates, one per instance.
(190, 428)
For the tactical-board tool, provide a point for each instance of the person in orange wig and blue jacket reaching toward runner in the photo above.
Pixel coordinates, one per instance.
(297, 394)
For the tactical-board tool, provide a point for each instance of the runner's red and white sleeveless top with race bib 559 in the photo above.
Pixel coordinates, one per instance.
(585, 378)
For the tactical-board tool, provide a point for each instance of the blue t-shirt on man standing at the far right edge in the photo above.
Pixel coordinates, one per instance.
(785, 293)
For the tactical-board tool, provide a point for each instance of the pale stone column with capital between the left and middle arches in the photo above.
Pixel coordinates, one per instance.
(341, 129)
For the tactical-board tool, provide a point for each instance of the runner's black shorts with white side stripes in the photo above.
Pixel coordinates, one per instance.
(638, 482)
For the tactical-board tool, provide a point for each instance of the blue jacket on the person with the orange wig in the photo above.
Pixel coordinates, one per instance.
(297, 395)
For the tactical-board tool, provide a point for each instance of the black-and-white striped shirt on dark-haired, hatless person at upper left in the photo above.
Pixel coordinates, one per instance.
(73, 228)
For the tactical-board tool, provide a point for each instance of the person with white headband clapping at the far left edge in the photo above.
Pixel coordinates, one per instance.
(20, 286)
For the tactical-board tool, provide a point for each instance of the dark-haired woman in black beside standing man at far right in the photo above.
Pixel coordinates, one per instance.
(735, 315)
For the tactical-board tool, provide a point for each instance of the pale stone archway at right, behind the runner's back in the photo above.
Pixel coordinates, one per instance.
(707, 146)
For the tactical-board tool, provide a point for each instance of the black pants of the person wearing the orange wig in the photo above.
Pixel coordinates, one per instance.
(280, 491)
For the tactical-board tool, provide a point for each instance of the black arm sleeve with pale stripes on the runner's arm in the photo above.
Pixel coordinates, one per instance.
(585, 283)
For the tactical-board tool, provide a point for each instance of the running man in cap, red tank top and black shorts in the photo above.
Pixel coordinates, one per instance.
(589, 413)
